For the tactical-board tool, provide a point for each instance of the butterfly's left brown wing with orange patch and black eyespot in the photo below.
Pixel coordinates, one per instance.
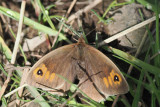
(59, 61)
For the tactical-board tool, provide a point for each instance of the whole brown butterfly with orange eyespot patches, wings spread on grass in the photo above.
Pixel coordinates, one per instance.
(98, 76)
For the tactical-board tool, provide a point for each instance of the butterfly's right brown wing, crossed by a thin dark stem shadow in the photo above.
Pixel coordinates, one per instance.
(104, 75)
